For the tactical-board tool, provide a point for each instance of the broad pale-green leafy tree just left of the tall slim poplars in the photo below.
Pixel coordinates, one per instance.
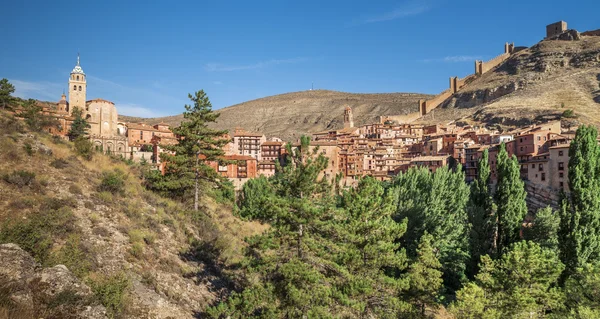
(436, 203)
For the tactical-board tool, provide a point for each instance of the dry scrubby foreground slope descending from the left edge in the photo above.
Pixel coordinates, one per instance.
(85, 239)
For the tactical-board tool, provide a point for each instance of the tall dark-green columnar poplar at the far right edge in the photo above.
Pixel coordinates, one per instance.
(579, 233)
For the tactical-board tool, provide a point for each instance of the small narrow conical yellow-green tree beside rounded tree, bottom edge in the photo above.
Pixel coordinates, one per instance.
(425, 276)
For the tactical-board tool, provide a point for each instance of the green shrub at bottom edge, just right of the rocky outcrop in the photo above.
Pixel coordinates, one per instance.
(111, 291)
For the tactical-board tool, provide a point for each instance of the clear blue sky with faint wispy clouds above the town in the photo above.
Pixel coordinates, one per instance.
(146, 56)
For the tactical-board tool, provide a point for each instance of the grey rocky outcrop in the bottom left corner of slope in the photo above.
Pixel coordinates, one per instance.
(30, 291)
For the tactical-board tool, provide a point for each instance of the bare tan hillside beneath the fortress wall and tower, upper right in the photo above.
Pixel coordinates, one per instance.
(535, 84)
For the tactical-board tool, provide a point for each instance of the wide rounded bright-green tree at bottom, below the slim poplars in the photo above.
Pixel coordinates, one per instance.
(522, 283)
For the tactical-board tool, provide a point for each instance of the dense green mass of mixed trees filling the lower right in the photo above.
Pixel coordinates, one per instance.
(405, 248)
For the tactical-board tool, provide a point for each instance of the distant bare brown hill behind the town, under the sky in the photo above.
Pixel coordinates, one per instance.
(289, 115)
